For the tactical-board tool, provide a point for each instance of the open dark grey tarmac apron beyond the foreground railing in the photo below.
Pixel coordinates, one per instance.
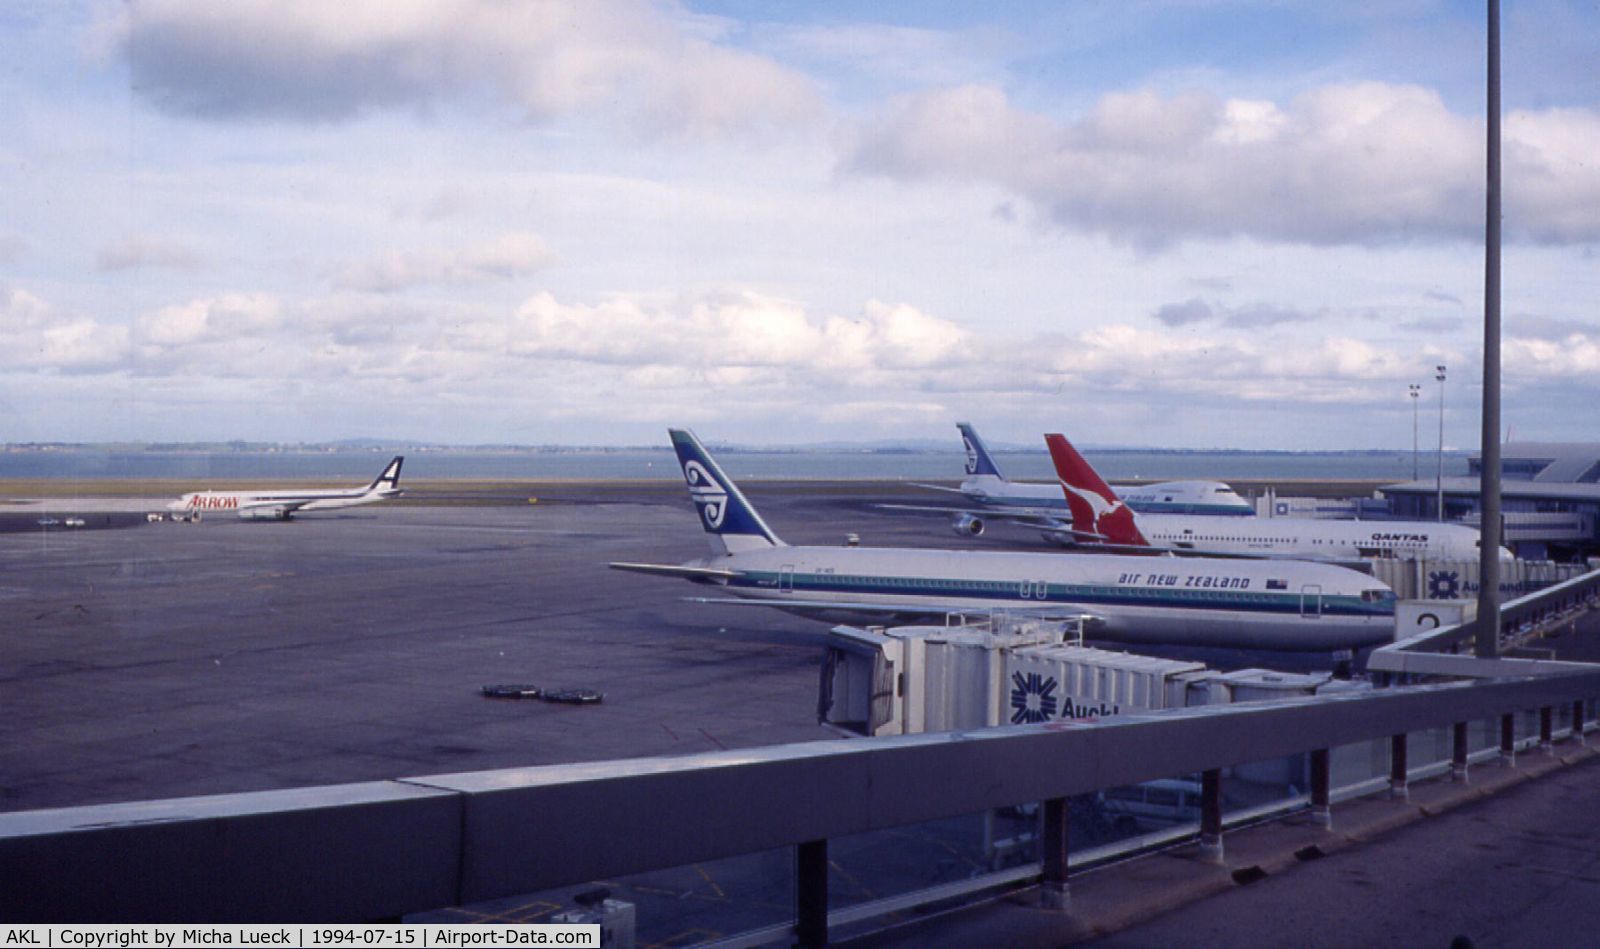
(175, 660)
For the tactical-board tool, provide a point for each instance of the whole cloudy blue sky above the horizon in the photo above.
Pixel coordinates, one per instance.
(1174, 223)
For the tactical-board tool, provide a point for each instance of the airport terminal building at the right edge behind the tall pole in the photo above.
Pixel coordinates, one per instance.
(1550, 495)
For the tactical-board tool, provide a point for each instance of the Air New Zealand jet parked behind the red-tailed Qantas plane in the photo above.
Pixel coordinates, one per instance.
(998, 499)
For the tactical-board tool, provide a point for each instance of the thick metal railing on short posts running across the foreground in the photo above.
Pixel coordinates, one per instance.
(380, 851)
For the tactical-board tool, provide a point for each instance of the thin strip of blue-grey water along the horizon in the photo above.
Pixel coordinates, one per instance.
(649, 463)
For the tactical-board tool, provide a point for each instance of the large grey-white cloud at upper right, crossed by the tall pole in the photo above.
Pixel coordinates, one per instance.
(1346, 164)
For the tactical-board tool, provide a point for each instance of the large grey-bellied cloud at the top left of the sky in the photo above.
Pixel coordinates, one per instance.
(311, 62)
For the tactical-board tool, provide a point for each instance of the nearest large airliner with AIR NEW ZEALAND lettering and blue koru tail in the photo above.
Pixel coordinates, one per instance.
(1249, 604)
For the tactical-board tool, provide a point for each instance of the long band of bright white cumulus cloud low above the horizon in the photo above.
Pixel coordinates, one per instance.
(660, 358)
